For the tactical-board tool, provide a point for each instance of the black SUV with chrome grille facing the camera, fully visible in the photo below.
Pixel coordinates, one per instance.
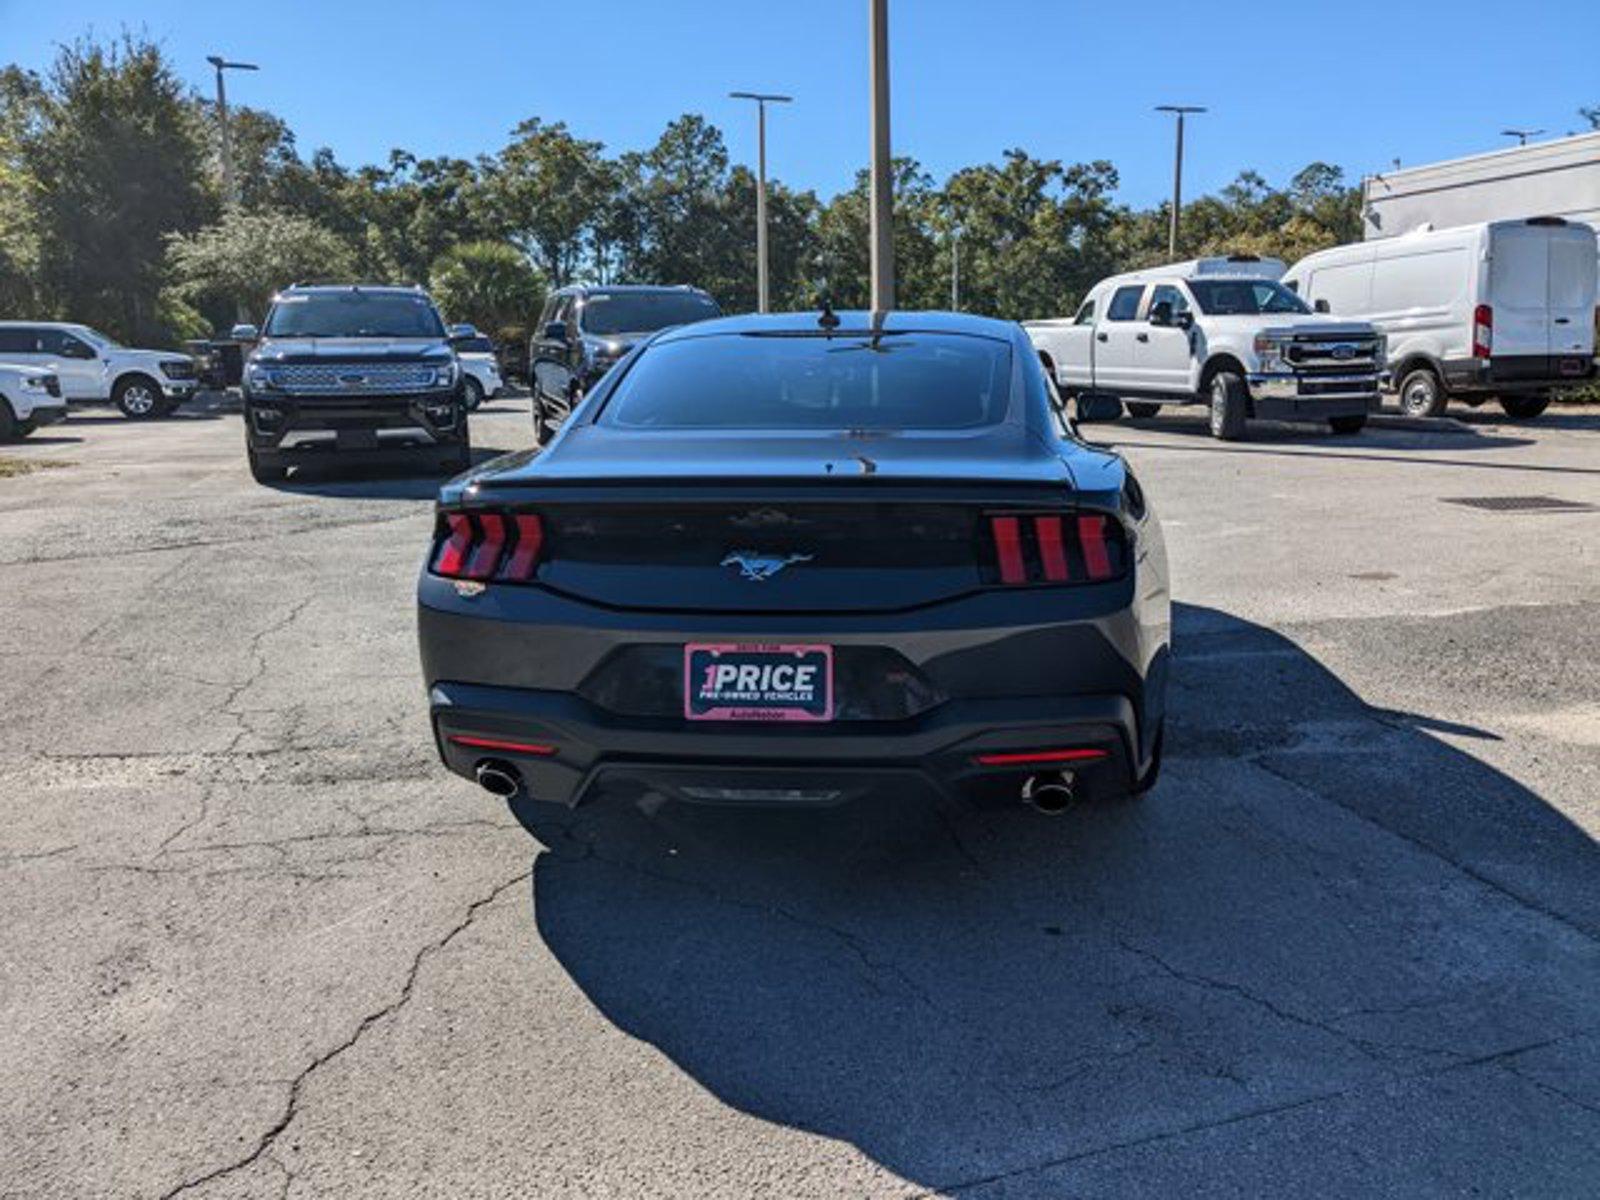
(364, 374)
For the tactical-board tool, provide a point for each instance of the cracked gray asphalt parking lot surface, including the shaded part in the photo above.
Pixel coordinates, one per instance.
(258, 943)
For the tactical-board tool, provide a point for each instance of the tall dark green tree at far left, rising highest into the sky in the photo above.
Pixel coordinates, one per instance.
(118, 166)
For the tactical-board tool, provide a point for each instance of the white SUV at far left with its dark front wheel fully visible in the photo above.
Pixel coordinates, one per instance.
(95, 369)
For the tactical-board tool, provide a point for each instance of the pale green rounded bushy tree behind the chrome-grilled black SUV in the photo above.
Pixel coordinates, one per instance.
(242, 260)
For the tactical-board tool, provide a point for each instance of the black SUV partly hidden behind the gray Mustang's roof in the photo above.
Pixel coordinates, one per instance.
(585, 330)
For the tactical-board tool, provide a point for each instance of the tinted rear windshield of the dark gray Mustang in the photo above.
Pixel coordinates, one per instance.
(847, 382)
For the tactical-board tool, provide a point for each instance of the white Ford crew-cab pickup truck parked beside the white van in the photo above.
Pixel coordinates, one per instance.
(1220, 332)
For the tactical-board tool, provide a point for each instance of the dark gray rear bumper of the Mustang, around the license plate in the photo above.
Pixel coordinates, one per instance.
(546, 684)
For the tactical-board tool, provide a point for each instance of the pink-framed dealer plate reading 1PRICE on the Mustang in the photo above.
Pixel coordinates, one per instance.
(714, 697)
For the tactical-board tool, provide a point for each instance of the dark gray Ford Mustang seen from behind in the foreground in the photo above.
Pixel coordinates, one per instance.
(794, 561)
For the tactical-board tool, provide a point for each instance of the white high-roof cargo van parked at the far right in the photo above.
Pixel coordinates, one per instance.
(1503, 310)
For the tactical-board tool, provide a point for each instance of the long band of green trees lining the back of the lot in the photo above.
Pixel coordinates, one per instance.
(110, 190)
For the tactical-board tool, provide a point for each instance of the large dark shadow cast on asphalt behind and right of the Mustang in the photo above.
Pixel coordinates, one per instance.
(1329, 956)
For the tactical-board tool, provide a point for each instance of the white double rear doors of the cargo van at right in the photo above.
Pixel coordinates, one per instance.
(1542, 287)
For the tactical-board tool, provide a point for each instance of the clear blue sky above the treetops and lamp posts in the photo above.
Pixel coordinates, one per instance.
(1356, 84)
